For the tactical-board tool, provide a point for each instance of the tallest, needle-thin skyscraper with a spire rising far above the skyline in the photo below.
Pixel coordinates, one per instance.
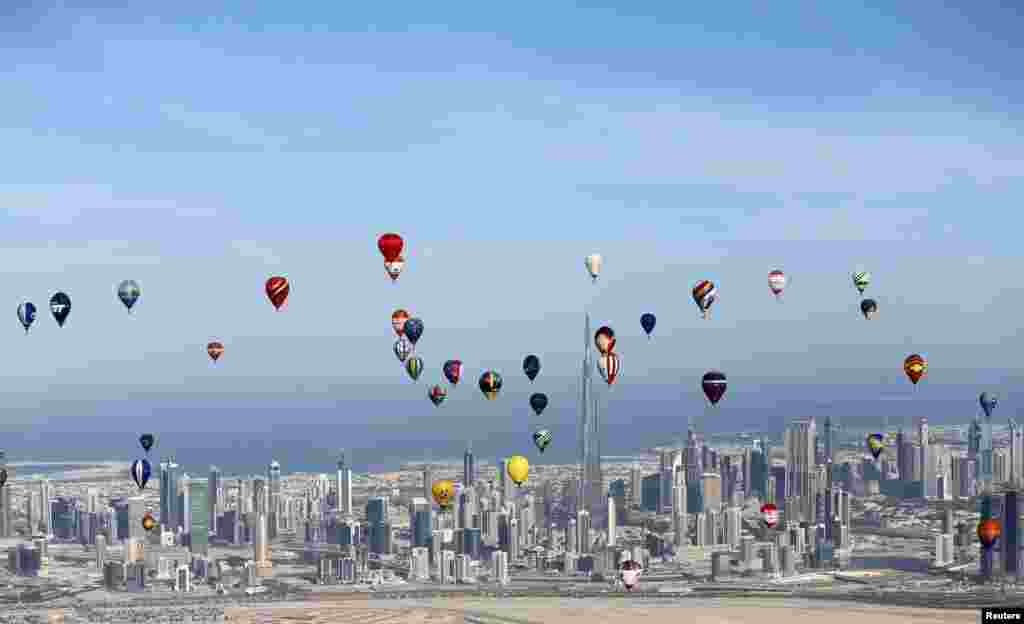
(592, 493)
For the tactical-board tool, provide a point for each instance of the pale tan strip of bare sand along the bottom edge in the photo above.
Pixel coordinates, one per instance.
(554, 611)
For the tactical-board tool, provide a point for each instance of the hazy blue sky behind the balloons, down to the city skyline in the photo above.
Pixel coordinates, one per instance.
(200, 156)
